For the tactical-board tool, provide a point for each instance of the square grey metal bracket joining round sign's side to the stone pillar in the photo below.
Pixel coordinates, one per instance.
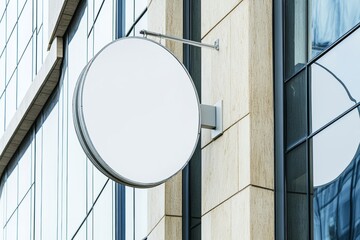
(211, 118)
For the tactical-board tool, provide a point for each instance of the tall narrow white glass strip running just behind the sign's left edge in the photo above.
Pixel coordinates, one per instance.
(76, 157)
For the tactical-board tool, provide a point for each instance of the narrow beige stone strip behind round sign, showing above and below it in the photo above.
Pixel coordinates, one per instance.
(165, 201)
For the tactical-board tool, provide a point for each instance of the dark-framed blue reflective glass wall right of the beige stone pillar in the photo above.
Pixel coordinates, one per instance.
(322, 119)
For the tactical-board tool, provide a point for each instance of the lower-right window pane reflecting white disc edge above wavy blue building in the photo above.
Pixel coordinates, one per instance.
(335, 157)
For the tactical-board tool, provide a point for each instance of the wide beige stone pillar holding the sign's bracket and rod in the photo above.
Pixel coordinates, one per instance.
(238, 167)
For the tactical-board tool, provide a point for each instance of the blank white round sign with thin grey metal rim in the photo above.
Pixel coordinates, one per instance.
(136, 112)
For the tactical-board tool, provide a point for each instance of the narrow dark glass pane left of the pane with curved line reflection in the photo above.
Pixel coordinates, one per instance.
(296, 118)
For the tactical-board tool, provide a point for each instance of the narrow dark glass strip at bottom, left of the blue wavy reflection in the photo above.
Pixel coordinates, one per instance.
(296, 193)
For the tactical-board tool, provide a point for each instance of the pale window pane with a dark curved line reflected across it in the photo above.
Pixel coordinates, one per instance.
(335, 85)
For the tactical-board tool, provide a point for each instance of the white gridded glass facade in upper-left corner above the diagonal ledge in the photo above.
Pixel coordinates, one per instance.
(23, 48)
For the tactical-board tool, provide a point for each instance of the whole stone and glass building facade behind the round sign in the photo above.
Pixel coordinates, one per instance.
(285, 167)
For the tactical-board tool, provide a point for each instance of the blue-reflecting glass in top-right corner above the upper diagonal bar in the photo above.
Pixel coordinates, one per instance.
(313, 25)
